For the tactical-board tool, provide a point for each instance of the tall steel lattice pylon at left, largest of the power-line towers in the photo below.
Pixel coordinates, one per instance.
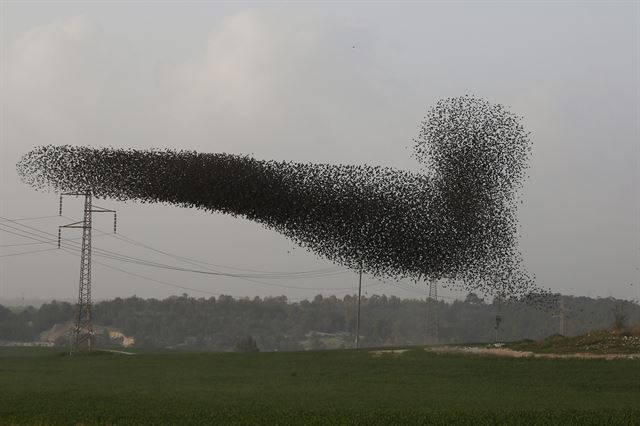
(84, 327)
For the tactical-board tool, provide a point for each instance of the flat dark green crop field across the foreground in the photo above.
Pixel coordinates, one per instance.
(41, 386)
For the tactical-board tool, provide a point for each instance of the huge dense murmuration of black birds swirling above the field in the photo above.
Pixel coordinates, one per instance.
(455, 221)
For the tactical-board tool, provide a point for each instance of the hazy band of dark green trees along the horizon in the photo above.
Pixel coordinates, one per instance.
(226, 323)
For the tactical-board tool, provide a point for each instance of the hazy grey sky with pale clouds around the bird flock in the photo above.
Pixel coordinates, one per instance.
(326, 82)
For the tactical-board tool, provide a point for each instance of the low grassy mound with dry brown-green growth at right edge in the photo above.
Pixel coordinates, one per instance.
(626, 341)
